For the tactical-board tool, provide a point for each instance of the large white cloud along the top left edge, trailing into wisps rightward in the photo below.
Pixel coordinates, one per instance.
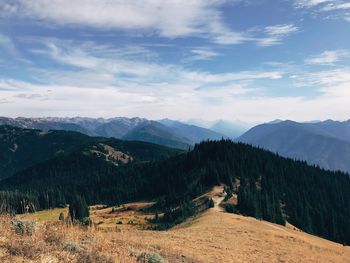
(170, 19)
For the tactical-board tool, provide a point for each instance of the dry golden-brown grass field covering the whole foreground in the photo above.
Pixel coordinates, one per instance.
(213, 236)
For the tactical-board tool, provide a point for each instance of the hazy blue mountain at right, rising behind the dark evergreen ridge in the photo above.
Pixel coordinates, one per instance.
(325, 144)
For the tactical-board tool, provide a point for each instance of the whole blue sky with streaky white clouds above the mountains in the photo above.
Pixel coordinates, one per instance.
(249, 60)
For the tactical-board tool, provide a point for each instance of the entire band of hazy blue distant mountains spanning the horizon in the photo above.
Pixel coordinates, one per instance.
(323, 143)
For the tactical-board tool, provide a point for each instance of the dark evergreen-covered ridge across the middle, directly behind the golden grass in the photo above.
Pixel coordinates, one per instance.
(269, 187)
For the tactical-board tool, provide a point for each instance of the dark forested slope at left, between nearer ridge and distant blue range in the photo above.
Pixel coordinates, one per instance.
(22, 148)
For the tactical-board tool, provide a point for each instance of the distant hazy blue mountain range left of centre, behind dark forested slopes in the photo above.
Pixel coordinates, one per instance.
(164, 132)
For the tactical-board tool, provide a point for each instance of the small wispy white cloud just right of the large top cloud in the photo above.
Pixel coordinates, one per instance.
(275, 34)
